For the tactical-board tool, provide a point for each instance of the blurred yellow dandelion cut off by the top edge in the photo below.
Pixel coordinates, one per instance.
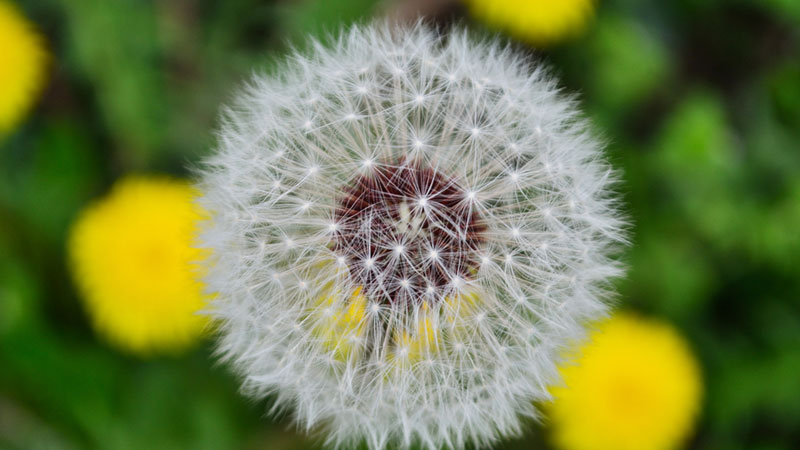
(539, 22)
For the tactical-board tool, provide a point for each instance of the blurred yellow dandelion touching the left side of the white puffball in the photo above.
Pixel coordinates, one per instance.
(133, 262)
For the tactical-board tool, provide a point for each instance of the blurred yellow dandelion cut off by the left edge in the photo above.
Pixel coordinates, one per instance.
(22, 65)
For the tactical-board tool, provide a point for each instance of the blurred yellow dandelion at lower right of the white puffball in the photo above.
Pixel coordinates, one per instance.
(635, 386)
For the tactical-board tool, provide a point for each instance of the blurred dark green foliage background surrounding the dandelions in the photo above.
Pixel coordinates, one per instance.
(698, 99)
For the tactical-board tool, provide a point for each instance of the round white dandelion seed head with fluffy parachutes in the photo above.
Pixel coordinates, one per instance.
(407, 229)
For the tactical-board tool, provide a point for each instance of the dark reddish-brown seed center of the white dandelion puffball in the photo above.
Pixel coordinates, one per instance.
(407, 232)
